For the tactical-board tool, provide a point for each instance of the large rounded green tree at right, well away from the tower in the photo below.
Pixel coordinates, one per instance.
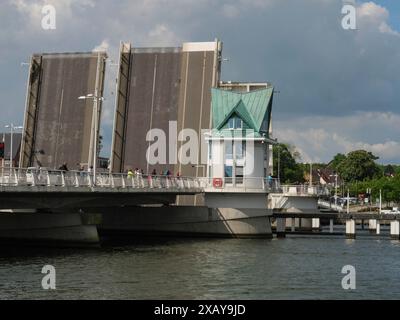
(359, 165)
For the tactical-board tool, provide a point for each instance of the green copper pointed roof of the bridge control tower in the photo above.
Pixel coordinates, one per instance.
(252, 107)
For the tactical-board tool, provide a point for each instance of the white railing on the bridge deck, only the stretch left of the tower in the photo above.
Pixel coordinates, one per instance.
(59, 178)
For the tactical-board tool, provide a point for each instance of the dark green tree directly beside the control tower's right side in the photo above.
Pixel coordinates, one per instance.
(285, 161)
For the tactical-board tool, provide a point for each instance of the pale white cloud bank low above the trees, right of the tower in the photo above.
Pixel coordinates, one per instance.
(319, 138)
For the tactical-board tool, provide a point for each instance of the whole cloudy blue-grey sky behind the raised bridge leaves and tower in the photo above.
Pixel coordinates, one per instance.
(337, 90)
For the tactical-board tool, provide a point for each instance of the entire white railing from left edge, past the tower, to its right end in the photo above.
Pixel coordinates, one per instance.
(58, 178)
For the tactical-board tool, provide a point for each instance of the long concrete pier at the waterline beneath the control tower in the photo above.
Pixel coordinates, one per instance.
(193, 221)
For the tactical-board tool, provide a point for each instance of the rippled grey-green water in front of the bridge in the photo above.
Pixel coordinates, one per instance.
(298, 267)
